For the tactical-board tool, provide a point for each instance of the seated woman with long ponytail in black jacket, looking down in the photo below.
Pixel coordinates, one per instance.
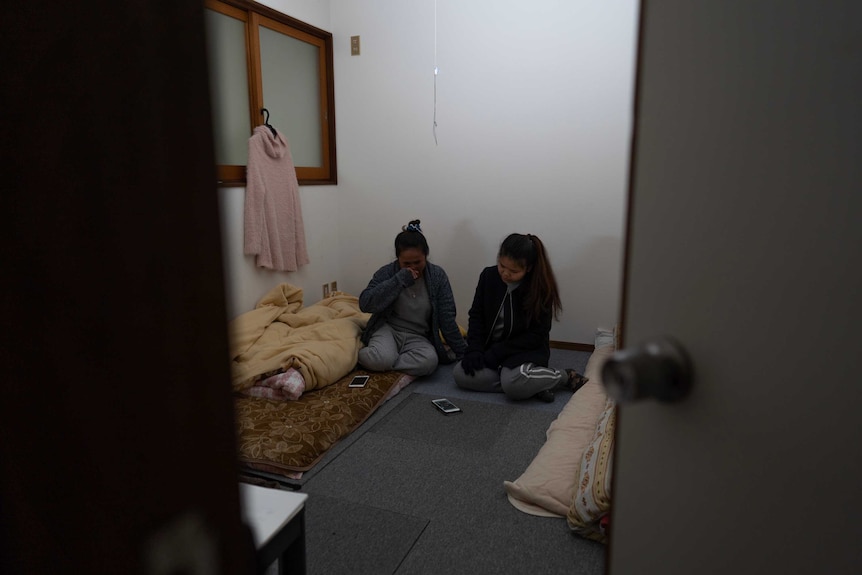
(508, 334)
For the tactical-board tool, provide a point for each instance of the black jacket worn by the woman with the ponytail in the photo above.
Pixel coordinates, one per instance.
(522, 342)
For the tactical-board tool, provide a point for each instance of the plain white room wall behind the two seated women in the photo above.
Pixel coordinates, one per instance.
(533, 132)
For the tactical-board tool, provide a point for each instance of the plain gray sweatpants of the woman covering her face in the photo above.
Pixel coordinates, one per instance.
(393, 350)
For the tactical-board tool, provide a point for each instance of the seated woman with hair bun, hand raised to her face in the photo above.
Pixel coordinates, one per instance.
(411, 303)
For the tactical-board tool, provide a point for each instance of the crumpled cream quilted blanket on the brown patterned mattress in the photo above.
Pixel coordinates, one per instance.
(320, 341)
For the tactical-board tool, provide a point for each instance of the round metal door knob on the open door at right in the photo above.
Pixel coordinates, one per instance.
(659, 368)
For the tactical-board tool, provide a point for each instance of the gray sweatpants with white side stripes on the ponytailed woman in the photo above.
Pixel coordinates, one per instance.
(520, 382)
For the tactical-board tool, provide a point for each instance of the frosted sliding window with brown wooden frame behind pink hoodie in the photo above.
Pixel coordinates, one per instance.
(260, 58)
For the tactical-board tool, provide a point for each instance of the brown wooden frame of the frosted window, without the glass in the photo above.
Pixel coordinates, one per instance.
(254, 15)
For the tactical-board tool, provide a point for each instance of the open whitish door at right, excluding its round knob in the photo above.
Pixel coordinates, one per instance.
(744, 243)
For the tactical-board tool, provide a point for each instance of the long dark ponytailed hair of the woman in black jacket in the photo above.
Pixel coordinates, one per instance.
(542, 292)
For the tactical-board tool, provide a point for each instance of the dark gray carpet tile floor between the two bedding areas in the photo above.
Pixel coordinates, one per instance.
(415, 491)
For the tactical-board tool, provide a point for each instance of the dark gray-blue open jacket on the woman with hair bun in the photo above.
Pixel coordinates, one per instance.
(385, 287)
